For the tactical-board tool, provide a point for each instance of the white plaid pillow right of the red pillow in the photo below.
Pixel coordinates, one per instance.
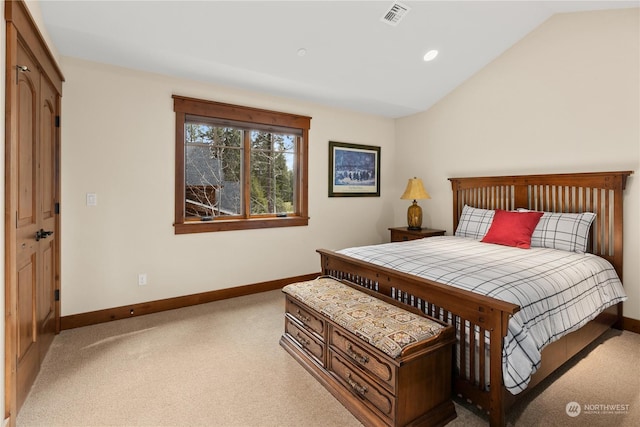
(565, 231)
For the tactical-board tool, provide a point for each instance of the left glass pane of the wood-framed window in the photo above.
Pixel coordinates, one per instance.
(213, 170)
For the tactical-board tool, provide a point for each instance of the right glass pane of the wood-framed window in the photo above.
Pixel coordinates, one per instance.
(272, 173)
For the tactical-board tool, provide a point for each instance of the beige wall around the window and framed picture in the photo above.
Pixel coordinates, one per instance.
(119, 142)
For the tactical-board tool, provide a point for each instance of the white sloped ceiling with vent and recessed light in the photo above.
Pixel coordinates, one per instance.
(352, 61)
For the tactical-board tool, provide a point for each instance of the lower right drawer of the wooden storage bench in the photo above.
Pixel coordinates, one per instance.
(379, 400)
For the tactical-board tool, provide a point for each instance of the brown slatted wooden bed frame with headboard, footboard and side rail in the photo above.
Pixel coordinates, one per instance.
(596, 192)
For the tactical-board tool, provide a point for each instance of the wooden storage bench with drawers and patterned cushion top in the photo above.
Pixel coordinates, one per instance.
(389, 365)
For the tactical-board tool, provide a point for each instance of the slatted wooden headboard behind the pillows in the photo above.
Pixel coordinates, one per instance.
(597, 192)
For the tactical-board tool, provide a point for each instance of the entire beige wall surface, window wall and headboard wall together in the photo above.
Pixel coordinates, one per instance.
(563, 99)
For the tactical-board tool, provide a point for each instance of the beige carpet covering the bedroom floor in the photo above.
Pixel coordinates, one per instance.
(220, 364)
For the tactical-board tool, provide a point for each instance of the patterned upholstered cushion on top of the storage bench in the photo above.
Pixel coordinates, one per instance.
(384, 326)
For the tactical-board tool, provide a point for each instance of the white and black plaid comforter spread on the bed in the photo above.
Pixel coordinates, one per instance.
(558, 291)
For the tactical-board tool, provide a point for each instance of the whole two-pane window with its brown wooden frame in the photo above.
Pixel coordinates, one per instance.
(238, 167)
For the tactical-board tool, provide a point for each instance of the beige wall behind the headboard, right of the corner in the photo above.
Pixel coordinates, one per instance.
(566, 98)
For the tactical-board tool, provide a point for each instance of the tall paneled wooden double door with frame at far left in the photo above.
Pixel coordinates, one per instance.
(32, 220)
